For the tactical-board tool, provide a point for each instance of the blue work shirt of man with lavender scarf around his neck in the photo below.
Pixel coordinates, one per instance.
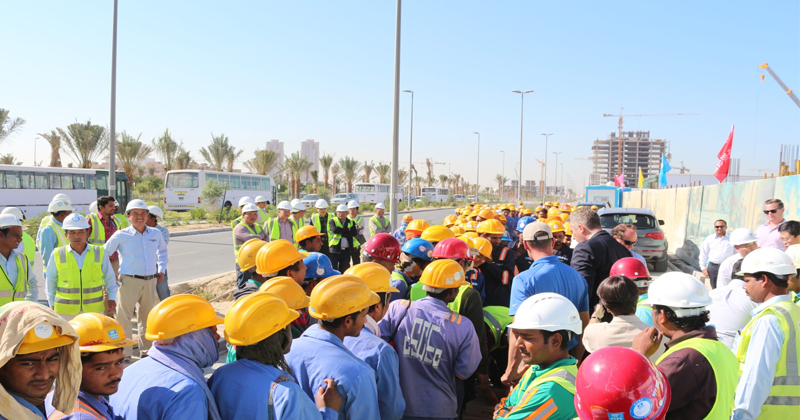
(152, 391)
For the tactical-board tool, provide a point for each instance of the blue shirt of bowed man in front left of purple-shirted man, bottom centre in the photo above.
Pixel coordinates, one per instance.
(318, 355)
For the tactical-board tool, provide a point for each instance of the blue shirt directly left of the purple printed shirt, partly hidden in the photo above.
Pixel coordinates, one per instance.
(383, 360)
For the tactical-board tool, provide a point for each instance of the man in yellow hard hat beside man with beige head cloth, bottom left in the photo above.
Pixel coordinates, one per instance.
(101, 342)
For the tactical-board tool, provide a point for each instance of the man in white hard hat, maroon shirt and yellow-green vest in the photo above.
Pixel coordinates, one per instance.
(705, 390)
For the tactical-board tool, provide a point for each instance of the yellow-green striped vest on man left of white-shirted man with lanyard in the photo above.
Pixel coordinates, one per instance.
(79, 289)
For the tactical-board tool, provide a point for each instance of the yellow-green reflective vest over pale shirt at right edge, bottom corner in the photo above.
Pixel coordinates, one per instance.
(782, 402)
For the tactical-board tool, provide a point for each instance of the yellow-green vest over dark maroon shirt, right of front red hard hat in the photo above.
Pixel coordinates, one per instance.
(723, 363)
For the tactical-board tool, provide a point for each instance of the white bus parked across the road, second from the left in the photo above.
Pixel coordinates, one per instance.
(182, 188)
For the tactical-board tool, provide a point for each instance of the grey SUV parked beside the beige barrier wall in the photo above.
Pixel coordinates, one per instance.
(651, 242)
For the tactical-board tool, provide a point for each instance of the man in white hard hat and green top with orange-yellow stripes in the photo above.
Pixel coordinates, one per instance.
(543, 326)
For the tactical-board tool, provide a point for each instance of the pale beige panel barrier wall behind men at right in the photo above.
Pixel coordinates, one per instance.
(689, 213)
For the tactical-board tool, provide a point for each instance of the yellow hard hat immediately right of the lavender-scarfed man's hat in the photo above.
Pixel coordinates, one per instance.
(255, 317)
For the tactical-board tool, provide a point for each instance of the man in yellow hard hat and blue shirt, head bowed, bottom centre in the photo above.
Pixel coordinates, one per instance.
(340, 303)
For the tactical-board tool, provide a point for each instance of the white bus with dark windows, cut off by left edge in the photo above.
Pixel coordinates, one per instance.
(31, 188)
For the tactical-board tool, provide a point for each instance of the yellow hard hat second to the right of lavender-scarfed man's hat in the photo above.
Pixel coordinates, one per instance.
(341, 295)
